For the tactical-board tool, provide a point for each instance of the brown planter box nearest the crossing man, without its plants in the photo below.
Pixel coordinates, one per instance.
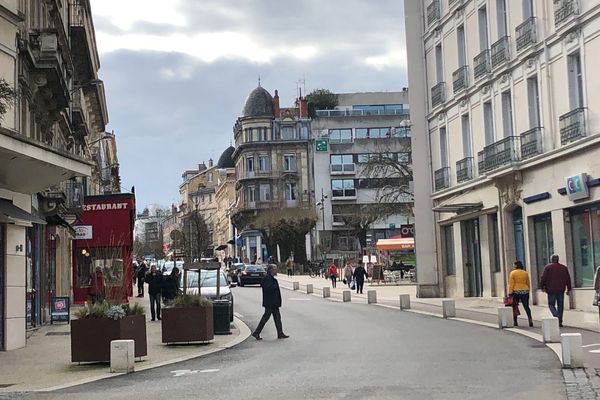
(187, 324)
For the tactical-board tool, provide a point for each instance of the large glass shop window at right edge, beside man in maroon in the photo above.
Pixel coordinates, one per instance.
(585, 234)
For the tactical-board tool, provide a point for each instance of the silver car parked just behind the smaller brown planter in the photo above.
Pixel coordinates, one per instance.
(208, 286)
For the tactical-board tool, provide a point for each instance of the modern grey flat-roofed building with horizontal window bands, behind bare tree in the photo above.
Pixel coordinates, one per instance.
(362, 127)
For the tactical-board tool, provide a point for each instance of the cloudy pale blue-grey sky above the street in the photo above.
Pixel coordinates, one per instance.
(177, 72)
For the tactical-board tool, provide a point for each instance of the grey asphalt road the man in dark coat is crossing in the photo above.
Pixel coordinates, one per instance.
(348, 351)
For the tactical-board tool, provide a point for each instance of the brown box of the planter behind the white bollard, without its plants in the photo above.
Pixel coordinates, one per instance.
(91, 337)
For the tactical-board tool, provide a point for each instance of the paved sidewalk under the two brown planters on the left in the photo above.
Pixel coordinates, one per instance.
(46, 361)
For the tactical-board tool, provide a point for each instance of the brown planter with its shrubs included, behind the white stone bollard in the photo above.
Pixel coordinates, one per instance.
(97, 325)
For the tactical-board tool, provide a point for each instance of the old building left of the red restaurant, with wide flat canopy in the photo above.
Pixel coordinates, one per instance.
(47, 153)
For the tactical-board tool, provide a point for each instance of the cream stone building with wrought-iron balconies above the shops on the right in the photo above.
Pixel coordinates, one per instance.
(506, 143)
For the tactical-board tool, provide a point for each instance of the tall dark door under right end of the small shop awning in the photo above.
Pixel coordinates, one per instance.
(473, 275)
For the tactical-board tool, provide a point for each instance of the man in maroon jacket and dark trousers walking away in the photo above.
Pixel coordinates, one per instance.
(555, 279)
